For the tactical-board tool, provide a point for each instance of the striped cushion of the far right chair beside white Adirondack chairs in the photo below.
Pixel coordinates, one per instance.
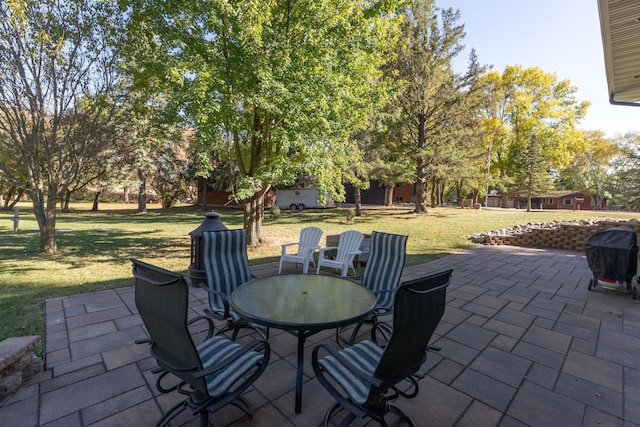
(384, 266)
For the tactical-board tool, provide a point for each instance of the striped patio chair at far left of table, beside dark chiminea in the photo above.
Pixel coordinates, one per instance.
(226, 267)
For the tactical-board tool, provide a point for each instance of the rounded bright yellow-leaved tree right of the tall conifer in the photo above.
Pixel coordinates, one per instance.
(531, 121)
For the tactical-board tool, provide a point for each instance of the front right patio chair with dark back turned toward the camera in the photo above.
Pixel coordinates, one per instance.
(364, 378)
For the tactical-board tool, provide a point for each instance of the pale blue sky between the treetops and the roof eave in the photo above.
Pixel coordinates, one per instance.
(559, 36)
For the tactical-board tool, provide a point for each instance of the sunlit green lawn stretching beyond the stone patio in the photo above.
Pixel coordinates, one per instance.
(95, 247)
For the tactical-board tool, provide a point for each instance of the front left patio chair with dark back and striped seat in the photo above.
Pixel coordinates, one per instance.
(212, 374)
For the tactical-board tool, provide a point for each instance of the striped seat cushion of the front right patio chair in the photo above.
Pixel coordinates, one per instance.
(365, 355)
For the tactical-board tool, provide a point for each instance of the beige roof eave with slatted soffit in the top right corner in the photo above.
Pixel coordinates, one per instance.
(620, 26)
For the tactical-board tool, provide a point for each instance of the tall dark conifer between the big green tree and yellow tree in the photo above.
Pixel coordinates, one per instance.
(434, 96)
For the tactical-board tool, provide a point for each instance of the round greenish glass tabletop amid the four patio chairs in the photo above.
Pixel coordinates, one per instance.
(302, 301)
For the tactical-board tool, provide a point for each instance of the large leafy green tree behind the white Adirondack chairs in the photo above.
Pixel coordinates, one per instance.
(276, 87)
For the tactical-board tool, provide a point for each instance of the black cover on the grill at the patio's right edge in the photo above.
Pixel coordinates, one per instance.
(612, 253)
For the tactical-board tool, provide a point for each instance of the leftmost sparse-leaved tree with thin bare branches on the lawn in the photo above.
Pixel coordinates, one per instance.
(59, 96)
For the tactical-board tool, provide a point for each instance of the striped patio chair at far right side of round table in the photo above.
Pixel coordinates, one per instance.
(382, 276)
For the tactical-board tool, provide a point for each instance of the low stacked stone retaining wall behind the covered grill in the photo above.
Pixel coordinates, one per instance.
(564, 236)
